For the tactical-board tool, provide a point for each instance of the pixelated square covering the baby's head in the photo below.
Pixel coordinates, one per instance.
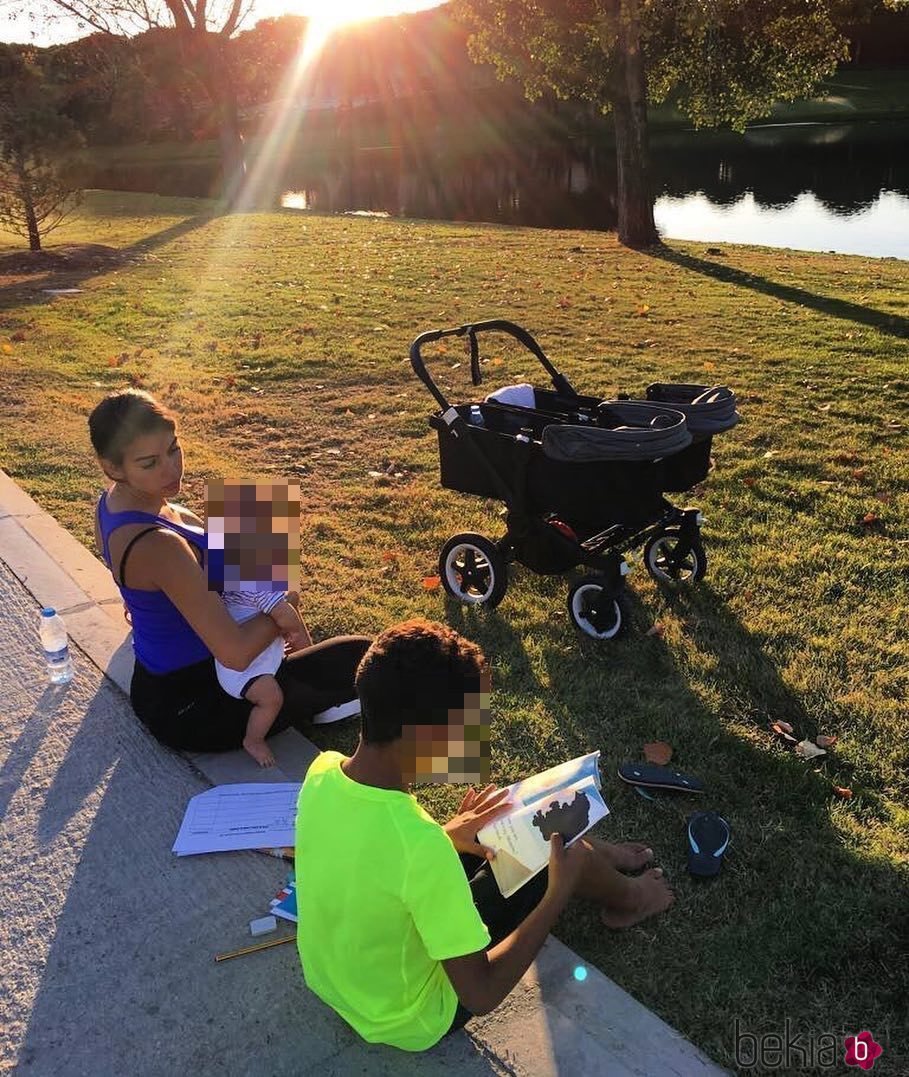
(254, 531)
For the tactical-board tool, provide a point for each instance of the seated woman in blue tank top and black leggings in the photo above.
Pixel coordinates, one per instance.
(157, 553)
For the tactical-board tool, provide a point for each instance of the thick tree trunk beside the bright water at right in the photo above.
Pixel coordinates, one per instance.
(636, 201)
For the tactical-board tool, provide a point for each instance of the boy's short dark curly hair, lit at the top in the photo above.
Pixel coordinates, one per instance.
(415, 674)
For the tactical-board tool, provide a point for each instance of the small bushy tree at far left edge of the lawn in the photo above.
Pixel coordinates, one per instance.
(38, 142)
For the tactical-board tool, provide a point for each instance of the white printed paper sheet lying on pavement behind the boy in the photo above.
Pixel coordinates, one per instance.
(249, 816)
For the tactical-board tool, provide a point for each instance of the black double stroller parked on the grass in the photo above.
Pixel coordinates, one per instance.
(583, 482)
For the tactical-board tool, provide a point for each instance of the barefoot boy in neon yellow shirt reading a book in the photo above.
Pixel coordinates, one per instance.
(402, 936)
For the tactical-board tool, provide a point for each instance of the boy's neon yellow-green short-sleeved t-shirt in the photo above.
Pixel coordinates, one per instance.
(383, 900)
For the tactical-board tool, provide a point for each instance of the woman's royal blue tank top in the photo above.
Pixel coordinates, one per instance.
(162, 637)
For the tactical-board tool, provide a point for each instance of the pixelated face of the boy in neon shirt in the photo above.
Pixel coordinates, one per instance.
(457, 751)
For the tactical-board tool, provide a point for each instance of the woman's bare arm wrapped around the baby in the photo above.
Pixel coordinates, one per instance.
(177, 574)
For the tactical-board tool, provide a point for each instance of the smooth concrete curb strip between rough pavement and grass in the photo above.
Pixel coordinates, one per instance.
(552, 1024)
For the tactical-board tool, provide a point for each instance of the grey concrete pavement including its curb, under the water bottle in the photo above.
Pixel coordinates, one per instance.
(107, 940)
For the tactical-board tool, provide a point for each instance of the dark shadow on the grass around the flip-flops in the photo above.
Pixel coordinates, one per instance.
(806, 921)
